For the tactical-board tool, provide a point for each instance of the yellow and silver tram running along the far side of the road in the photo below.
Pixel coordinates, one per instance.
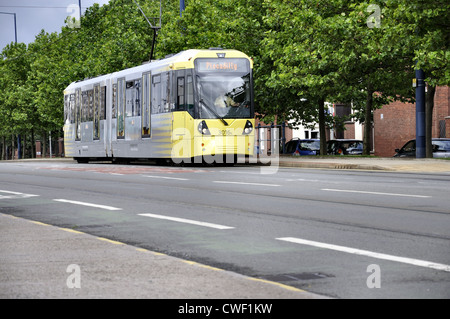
(193, 107)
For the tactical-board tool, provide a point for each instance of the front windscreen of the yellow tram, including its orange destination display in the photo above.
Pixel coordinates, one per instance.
(223, 88)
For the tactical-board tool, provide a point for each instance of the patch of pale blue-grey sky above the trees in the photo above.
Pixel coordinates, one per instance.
(34, 15)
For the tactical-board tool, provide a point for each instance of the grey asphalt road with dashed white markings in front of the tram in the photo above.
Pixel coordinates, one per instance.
(342, 234)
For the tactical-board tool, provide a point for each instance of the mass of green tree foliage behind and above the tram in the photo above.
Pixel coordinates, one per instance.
(305, 52)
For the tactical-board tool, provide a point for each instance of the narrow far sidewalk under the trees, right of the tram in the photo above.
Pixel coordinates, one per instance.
(428, 165)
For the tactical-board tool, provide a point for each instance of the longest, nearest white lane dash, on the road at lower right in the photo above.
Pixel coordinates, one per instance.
(411, 261)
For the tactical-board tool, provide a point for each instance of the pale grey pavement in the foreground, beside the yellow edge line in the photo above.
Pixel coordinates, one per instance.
(40, 261)
